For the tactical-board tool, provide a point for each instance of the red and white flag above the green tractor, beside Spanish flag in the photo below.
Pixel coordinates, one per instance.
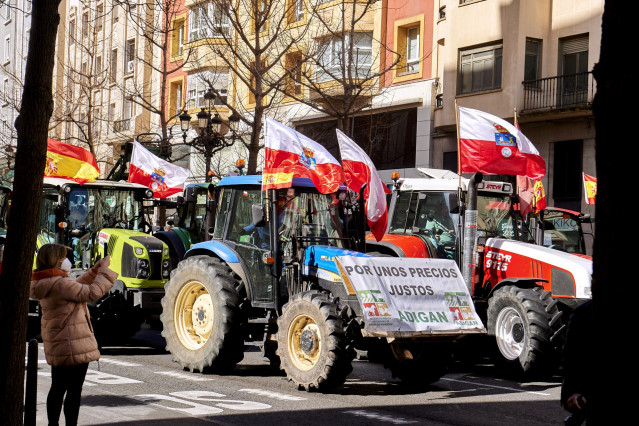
(162, 177)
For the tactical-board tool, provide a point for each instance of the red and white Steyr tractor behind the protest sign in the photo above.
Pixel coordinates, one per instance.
(524, 291)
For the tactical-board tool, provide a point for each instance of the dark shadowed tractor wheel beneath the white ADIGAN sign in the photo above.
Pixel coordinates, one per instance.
(417, 364)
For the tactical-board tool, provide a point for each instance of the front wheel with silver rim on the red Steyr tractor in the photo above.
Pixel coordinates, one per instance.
(520, 320)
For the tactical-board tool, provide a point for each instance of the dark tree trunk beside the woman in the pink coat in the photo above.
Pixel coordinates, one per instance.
(32, 126)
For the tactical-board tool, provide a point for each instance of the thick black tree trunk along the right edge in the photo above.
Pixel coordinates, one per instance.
(613, 257)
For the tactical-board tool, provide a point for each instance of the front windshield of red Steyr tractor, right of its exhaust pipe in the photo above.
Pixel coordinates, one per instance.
(493, 215)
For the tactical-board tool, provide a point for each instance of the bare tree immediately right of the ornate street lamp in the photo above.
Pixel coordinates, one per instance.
(242, 42)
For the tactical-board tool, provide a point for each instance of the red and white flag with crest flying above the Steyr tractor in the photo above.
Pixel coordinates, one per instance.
(491, 145)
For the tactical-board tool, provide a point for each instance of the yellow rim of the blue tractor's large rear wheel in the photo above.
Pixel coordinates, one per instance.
(193, 315)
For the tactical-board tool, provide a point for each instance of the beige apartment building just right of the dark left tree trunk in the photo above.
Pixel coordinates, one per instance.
(104, 85)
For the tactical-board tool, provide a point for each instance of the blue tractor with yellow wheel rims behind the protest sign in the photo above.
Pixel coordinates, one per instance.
(268, 278)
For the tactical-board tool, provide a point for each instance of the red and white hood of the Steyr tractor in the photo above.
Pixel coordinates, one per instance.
(569, 275)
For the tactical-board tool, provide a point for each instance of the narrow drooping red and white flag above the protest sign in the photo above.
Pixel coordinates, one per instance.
(360, 170)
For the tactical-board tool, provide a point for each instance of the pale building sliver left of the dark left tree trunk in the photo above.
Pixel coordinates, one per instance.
(15, 26)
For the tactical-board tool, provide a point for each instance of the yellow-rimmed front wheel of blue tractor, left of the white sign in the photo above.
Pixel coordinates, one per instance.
(311, 343)
